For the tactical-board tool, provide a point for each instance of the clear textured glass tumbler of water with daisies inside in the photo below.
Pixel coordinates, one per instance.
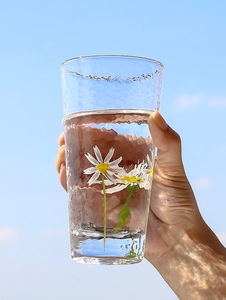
(109, 154)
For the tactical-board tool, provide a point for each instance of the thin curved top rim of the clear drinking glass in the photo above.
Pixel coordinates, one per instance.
(66, 62)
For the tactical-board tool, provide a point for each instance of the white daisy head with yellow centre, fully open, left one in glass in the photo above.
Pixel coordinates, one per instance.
(103, 166)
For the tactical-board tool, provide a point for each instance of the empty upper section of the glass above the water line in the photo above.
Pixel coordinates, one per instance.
(111, 82)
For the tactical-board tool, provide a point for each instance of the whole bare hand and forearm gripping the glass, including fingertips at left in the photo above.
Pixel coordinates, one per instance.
(179, 244)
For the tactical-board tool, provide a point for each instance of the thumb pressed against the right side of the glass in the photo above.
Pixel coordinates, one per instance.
(167, 141)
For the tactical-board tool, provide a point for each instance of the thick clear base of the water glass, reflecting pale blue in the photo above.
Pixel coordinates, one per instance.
(121, 248)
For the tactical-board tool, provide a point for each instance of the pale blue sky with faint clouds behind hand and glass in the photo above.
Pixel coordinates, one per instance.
(189, 38)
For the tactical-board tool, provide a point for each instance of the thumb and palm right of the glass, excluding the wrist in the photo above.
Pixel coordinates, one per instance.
(173, 208)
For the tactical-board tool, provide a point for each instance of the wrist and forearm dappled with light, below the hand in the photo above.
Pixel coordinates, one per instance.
(195, 268)
